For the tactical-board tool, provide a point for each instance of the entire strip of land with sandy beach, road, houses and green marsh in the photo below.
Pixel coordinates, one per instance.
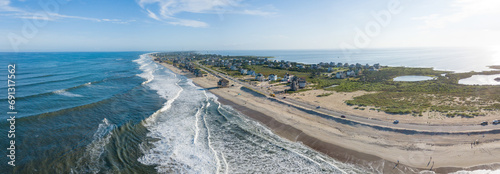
(324, 100)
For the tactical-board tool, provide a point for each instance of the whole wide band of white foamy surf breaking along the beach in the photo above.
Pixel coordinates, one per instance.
(195, 136)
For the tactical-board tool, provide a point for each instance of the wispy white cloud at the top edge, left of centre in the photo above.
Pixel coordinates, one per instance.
(167, 10)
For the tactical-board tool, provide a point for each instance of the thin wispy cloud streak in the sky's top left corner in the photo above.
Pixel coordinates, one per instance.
(47, 16)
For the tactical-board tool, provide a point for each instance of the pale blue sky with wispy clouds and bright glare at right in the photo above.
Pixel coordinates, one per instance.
(160, 25)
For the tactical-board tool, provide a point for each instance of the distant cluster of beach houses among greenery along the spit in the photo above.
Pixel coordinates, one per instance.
(243, 66)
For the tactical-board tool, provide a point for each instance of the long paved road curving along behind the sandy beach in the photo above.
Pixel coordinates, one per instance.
(363, 119)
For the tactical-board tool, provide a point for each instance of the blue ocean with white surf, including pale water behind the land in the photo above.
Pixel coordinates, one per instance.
(119, 112)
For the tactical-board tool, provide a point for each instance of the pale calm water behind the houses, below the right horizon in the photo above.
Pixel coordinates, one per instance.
(442, 59)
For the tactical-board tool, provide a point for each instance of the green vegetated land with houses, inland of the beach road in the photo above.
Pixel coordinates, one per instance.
(280, 77)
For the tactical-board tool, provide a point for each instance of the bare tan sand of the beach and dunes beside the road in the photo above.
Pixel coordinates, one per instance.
(376, 150)
